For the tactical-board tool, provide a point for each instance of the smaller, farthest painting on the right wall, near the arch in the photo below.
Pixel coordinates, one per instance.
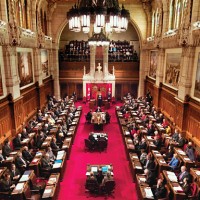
(153, 64)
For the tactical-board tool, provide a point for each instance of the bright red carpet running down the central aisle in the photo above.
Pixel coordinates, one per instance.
(73, 185)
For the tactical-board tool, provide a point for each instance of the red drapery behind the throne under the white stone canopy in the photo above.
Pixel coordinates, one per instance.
(93, 89)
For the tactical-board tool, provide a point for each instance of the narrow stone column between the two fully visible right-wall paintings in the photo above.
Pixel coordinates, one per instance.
(160, 68)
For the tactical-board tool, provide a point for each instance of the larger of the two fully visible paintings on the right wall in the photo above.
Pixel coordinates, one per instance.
(172, 70)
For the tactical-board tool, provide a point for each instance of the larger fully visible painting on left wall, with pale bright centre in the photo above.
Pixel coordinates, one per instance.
(25, 68)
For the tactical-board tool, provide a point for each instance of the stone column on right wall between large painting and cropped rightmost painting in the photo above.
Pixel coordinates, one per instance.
(185, 80)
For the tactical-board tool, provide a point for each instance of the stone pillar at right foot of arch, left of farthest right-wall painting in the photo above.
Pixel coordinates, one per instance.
(144, 63)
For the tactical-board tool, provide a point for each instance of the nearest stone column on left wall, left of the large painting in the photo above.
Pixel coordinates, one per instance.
(11, 71)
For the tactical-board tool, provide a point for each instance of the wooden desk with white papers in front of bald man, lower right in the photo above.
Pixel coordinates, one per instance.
(173, 184)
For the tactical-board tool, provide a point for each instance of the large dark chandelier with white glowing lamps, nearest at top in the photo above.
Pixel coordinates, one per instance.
(98, 14)
